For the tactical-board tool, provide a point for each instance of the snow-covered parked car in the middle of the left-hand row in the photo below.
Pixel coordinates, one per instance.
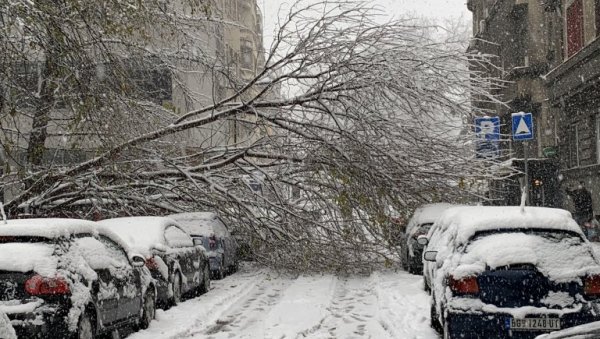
(180, 268)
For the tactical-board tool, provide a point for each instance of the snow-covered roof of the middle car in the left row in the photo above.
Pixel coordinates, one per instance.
(139, 233)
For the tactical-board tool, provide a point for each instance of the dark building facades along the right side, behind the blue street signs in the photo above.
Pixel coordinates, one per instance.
(548, 54)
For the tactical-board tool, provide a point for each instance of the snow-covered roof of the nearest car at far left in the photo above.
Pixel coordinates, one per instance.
(46, 227)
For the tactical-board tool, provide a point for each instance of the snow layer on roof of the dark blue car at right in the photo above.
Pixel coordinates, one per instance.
(466, 221)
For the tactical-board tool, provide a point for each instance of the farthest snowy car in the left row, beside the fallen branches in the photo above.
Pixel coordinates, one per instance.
(208, 230)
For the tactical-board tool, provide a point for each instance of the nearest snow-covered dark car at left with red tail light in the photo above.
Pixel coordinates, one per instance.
(62, 278)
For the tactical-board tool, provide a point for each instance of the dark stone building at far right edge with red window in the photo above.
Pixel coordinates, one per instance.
(574, 93)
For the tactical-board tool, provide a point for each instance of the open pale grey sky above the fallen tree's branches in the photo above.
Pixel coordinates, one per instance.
(436, 9)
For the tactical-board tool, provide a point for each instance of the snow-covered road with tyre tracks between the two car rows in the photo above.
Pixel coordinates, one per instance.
(264, 304)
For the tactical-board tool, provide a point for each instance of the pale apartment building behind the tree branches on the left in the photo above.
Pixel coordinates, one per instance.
(225, 35)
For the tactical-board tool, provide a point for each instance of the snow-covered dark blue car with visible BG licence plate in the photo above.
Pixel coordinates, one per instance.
(508, 272)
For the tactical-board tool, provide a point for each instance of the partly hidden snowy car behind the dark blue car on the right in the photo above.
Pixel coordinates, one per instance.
(419, 224)
